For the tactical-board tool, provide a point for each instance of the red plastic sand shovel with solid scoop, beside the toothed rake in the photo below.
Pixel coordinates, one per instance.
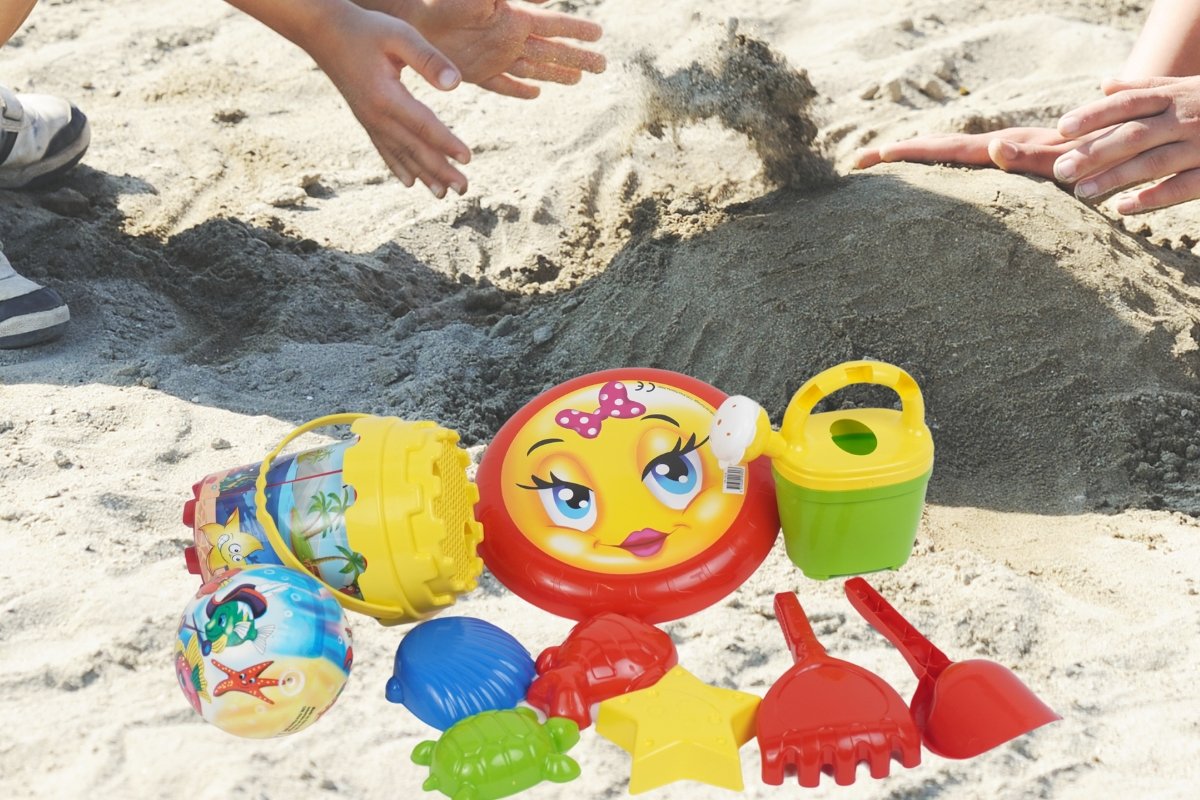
(962, 708)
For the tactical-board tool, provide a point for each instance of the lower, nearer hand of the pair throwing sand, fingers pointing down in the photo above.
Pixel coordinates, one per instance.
(364, 57)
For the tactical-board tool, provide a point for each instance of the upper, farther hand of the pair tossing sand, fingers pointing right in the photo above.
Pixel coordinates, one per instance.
(495, 44)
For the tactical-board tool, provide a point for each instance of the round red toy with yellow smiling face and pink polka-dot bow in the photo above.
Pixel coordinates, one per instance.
(599, 497)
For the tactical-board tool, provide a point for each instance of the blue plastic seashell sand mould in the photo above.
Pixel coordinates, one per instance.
(448, 670)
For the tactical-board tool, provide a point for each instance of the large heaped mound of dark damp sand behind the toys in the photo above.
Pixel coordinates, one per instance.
(1059, 354)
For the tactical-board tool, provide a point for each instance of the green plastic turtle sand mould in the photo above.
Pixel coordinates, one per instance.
(497, 754)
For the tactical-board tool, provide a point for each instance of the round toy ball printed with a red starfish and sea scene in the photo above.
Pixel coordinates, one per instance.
(263, 652)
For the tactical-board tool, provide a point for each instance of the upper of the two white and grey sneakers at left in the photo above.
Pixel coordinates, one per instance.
(41, 139)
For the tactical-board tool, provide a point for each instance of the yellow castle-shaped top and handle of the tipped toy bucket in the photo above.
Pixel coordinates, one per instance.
(410, 526)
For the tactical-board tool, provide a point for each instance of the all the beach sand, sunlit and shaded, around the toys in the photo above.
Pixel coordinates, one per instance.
(239, 262)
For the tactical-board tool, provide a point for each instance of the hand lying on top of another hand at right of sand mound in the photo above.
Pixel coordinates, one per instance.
(1154, 133)
